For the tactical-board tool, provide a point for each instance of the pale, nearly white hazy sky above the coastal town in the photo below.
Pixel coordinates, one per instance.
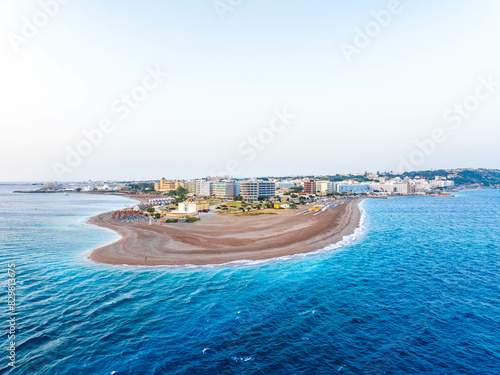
(139, 90)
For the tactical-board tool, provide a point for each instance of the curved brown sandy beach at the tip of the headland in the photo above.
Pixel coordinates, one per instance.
(217, 239)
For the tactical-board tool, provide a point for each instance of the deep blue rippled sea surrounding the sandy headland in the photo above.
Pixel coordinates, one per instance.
(418, 291)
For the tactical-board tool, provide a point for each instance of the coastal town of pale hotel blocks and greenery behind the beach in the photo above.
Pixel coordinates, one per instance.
(173, 201)
